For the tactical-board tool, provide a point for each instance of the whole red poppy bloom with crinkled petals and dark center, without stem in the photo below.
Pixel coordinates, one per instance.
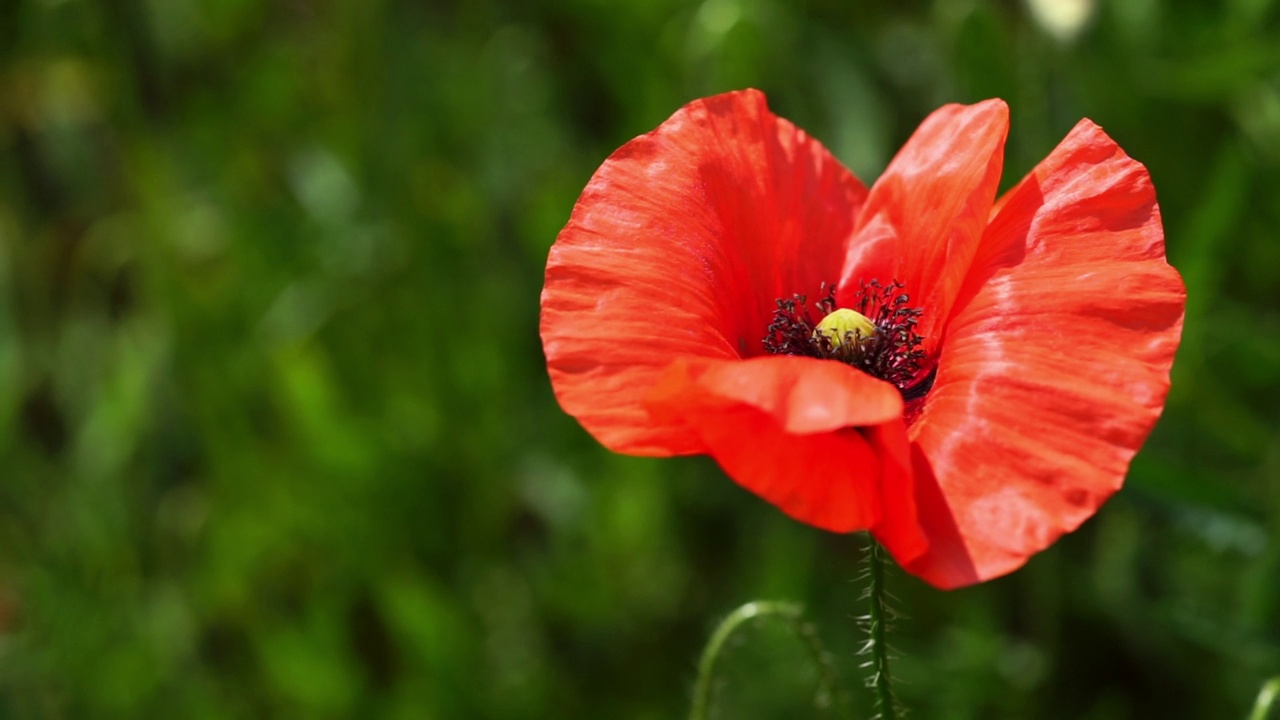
(993, 368)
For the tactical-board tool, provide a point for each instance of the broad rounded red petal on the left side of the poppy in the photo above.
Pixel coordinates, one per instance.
(680, 247)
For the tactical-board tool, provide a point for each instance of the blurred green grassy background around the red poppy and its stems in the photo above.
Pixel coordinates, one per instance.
(276, 432)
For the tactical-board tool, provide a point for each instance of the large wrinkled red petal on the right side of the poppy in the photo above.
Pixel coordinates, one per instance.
(1055, 366)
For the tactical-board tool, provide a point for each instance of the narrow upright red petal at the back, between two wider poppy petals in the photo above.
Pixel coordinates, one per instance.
(926, 215)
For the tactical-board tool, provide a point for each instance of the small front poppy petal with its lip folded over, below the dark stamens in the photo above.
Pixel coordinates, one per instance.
(787, 430)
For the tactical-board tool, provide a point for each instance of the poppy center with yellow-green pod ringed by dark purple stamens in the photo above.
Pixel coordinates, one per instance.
(876, 336)
